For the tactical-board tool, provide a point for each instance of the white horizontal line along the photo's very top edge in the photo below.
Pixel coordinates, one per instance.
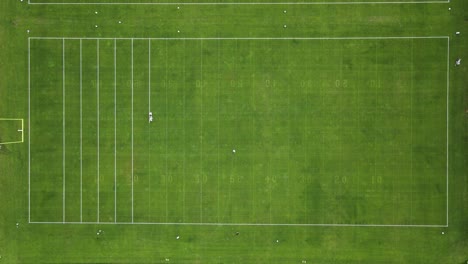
(256, 3)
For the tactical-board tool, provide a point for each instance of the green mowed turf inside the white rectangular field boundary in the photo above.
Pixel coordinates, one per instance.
(324, 131)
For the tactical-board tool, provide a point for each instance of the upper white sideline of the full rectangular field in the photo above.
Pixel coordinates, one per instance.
(247, 38)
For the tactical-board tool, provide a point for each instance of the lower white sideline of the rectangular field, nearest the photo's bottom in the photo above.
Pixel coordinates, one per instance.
(241, 224)
